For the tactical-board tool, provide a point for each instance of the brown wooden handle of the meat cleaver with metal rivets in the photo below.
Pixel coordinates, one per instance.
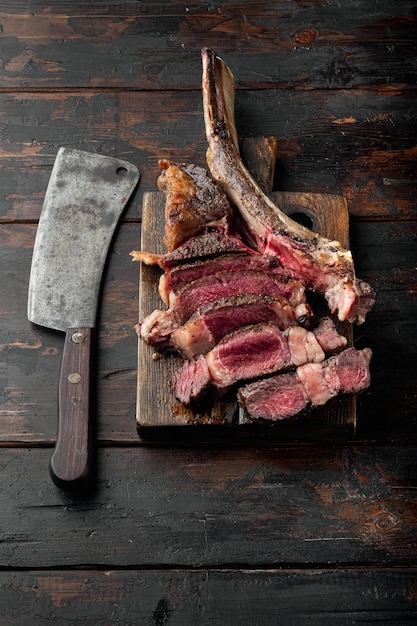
(70, 465)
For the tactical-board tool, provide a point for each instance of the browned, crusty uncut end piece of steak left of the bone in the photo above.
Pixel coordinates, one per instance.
(193, 201)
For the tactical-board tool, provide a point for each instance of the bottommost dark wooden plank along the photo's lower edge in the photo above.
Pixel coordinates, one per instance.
(186, 597)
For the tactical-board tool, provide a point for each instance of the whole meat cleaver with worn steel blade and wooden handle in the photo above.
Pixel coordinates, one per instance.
(84, 200)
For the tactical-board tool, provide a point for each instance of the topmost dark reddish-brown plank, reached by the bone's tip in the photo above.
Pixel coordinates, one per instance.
(156, 46)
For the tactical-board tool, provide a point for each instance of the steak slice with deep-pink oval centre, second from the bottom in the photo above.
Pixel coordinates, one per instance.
(249, 352)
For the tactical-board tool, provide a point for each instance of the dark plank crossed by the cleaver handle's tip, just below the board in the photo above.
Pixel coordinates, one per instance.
(213, 506)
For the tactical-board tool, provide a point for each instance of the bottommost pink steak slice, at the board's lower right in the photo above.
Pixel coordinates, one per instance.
(311, 385)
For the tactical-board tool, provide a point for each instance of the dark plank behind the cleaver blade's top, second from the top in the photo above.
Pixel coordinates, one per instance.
(357, 143)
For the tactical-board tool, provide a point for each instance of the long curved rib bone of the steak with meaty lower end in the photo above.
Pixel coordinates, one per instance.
(323, 265)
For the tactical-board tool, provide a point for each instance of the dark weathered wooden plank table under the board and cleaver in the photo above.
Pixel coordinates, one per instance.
(210, 532)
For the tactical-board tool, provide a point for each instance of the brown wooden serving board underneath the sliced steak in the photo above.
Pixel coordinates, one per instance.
(157, 407)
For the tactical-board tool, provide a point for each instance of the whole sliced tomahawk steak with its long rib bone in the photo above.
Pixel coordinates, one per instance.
(235, 280)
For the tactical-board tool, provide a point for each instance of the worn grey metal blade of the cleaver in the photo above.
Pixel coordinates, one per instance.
(84, 200)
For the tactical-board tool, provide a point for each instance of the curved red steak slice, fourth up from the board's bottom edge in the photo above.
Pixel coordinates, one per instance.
(211, 288)
